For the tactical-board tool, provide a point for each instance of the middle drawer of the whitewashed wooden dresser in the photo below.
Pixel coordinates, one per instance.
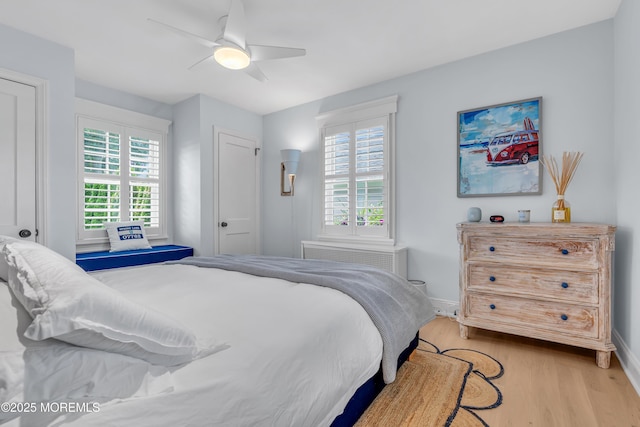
(554, 285)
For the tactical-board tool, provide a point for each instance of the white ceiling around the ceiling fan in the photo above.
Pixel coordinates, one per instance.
(350, 43)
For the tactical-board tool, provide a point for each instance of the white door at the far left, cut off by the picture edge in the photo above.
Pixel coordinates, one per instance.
(17, 160)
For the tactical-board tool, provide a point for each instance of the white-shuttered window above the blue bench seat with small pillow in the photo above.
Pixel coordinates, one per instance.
(121, 170)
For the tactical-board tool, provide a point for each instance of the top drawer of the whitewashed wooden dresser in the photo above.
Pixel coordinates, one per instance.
(534, 250)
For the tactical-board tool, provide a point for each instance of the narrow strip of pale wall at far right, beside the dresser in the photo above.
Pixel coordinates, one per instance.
(627, 175)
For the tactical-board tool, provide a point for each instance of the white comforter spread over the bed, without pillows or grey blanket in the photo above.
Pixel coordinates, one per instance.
(296, 355)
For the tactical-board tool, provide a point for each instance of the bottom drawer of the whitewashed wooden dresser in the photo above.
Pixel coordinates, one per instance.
(574, 320)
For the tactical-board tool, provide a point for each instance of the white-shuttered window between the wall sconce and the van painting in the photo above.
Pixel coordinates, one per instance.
(357, 145)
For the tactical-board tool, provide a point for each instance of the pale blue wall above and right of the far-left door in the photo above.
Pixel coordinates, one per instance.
(33, 56)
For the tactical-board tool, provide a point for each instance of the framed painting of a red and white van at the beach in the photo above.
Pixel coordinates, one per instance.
(498, 149)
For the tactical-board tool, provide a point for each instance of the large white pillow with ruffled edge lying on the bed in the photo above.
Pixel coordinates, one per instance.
(69, 305)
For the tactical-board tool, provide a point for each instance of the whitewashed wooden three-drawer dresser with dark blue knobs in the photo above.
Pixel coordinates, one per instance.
(539, 280)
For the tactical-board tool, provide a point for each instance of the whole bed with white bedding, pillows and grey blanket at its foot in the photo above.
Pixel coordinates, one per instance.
(196, 343)
